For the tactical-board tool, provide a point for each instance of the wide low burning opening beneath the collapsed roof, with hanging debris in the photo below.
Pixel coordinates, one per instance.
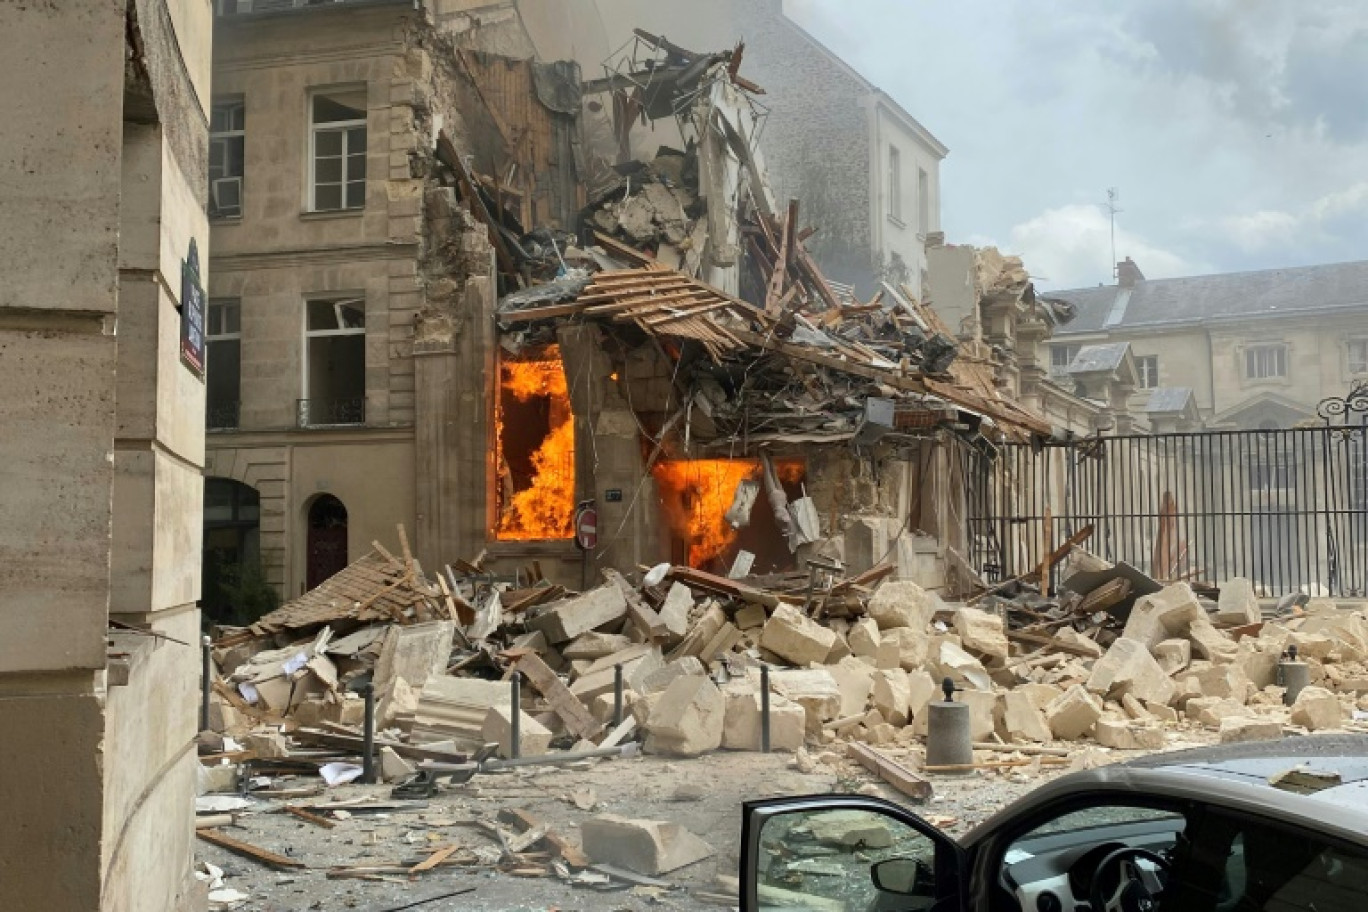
(696, 496)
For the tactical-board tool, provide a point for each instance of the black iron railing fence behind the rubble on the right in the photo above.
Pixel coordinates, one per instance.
(1285, 509)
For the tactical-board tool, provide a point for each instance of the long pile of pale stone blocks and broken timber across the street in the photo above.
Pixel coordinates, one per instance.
(857, 660)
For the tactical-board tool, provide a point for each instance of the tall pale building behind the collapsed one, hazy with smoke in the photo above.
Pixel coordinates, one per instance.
(867, 172)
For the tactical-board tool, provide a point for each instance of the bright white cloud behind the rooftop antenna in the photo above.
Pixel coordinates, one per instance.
(1070, 247)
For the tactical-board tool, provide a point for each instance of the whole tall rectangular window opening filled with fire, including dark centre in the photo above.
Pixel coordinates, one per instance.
(536, 449)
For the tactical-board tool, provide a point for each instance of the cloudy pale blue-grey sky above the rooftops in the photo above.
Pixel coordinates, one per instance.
(1235, 131)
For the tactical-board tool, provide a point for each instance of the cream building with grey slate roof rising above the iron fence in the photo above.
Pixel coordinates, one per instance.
(1244, 351)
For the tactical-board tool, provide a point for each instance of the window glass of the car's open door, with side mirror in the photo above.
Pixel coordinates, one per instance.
(845, 861)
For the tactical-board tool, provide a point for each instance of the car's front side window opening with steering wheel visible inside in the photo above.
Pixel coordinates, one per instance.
(1055, 865)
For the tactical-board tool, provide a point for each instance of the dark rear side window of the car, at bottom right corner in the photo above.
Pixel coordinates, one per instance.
(1257, 868)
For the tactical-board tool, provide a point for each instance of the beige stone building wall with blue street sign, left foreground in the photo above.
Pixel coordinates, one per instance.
(103, 199)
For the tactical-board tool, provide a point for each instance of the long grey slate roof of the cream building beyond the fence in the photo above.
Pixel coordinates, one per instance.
(1233, 296)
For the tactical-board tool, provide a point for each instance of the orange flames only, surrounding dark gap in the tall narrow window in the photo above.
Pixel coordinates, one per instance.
(547, 508)
